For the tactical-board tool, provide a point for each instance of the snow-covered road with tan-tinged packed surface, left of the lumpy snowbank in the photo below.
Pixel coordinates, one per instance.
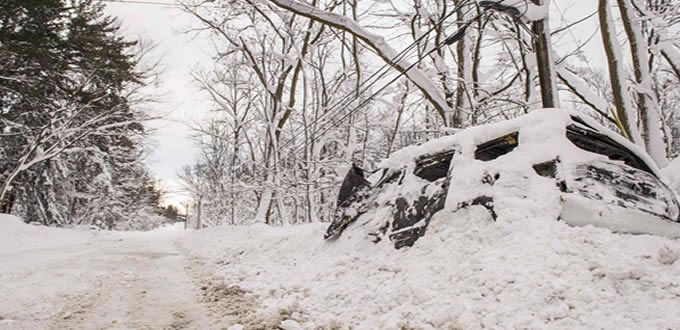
(131, 282)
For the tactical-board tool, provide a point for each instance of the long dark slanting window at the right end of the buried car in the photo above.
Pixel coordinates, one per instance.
(592, 141)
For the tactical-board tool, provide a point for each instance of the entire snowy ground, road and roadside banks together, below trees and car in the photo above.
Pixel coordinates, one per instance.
(468, 272)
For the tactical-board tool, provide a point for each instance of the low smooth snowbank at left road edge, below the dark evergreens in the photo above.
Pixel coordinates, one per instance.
(17, 236)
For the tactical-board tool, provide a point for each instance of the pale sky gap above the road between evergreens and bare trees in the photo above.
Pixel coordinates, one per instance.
(180, 101)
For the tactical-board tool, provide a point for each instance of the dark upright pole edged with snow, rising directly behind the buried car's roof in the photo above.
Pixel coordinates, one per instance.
(544, 59)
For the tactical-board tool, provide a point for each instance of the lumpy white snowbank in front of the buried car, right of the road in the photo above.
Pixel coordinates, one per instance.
(468, 272)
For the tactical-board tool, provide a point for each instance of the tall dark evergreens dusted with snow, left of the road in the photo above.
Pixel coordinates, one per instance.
(72, 138)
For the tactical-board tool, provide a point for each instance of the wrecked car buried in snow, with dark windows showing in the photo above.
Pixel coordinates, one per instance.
(549, 162)
